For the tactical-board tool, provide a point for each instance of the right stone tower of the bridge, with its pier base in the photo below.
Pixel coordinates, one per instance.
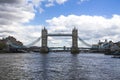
(75, 48)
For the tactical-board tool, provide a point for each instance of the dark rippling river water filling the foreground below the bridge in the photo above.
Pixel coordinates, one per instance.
(58, 66)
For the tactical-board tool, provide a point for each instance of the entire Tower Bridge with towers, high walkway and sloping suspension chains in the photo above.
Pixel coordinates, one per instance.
(44, 42)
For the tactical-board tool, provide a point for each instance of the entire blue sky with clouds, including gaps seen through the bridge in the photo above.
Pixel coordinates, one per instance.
(95, 20)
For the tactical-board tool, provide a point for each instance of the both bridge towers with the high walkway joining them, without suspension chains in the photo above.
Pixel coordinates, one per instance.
(74, 35)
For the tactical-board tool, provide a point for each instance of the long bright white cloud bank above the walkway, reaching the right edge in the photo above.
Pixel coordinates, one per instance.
(90, 28)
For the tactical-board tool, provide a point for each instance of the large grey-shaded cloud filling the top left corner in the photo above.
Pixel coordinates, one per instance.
(14, 12)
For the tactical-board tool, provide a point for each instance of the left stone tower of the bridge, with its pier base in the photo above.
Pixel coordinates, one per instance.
(44, 48)
